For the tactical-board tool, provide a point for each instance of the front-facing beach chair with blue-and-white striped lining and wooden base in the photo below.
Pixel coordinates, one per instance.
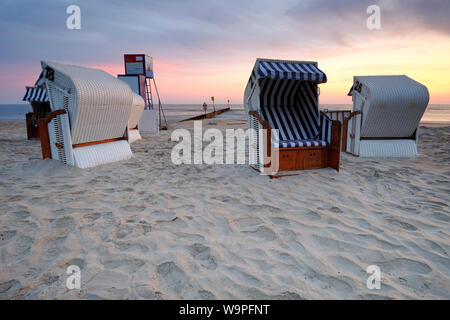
(288, 131)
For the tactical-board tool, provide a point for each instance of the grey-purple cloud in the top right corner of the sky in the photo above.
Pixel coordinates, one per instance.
(397, 16)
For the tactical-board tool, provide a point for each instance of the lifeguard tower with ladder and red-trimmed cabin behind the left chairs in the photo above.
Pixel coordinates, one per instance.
(139, 75)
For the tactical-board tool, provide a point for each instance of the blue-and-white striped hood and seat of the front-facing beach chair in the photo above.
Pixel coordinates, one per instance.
(285, 94)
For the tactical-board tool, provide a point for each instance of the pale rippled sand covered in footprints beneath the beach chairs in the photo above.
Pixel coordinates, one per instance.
(148, 229)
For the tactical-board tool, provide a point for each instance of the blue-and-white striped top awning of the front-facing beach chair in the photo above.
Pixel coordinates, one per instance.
(290, 70)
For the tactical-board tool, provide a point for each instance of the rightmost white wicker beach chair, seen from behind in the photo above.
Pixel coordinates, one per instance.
(386, 116)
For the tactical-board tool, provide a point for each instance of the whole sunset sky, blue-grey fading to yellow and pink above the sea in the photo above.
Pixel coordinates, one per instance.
(204, 48)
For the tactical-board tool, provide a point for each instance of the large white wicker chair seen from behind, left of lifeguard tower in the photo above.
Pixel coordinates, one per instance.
(91, 110)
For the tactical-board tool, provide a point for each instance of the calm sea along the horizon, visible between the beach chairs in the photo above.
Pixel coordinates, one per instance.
(435, 113)
